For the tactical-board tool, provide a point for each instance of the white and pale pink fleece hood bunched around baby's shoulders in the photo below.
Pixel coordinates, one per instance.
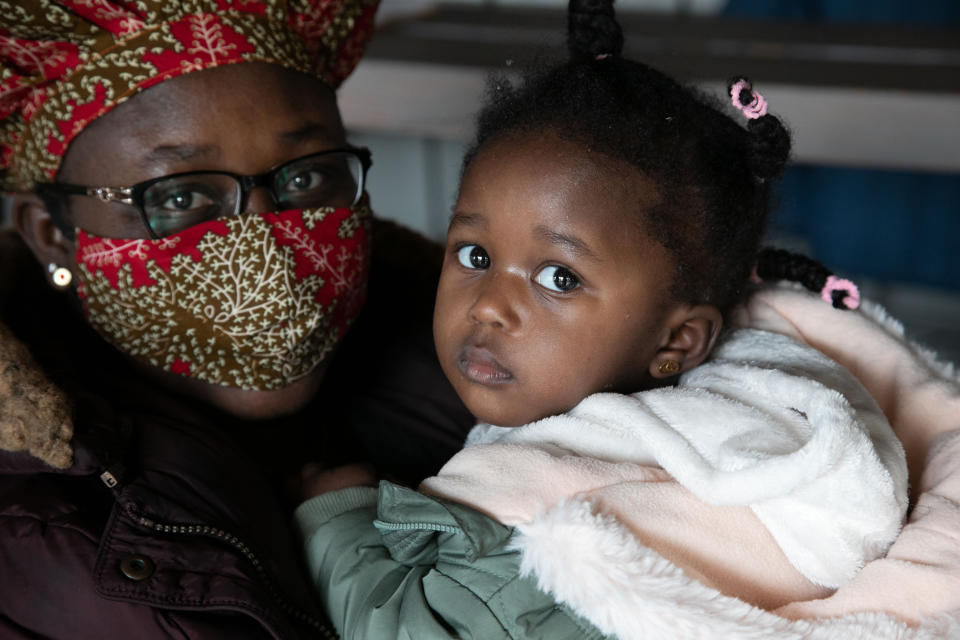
(602, 546)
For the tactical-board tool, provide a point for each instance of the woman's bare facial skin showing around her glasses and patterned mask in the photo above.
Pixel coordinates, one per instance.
(242, 118)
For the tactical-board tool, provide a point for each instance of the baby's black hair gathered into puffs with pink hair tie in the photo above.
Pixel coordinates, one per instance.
(713, 174)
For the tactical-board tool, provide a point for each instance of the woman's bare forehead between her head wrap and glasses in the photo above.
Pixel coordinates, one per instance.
(242, 118)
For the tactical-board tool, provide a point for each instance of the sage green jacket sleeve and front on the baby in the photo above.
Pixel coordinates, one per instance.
(400, 564)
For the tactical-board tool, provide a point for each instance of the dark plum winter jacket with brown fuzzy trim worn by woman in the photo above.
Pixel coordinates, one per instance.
(171, 519)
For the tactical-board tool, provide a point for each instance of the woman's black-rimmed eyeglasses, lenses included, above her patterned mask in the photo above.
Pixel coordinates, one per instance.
(170, 204)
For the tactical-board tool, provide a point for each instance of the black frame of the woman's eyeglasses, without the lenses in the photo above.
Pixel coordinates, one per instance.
(133, 195)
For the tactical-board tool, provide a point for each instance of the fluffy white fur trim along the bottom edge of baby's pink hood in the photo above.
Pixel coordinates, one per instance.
(595, 565)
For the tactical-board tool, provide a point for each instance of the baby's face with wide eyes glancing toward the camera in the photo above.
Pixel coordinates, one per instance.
(550, 290)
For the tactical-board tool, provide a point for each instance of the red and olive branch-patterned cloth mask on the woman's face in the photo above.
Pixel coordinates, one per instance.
(252, 301)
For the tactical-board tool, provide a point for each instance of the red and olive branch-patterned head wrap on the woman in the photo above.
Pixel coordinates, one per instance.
(64, 64)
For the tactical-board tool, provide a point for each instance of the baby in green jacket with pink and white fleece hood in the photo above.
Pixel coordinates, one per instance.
(607, 224)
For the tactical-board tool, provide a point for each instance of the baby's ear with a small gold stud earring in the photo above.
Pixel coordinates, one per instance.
(693, 332)
